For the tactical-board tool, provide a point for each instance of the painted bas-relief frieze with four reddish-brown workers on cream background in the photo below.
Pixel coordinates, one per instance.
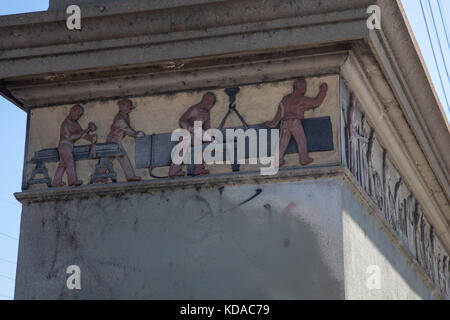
(305, 112)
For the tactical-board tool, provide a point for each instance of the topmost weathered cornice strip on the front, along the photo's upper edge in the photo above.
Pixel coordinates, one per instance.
(240, 11)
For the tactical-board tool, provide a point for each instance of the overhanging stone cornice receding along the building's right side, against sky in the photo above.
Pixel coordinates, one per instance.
(407, 74)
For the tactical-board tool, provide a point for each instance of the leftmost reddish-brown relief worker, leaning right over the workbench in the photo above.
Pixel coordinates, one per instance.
(70, 132)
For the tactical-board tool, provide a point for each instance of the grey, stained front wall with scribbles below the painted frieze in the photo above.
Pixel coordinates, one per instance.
(283, 243)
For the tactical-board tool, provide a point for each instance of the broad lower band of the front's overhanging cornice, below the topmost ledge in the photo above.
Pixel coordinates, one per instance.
(52, 56)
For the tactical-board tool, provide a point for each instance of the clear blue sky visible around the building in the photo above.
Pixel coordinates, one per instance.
(12, 128)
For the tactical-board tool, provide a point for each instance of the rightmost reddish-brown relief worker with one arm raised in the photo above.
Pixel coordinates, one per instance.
(291, 112)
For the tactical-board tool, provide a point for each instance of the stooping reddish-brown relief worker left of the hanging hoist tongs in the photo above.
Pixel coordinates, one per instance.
(197, 112)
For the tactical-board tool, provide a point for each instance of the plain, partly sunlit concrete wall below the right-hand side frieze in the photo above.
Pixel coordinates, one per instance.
(366, 245)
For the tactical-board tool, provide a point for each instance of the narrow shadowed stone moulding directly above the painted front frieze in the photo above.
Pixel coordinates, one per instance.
(193, 75)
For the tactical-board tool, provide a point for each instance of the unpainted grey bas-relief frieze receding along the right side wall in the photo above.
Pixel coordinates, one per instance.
(372, 167)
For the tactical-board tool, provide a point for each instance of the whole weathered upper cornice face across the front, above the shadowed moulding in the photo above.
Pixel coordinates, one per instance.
(150, 36)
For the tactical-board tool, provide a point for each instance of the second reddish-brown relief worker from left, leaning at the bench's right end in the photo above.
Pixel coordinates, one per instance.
(120, 129)
